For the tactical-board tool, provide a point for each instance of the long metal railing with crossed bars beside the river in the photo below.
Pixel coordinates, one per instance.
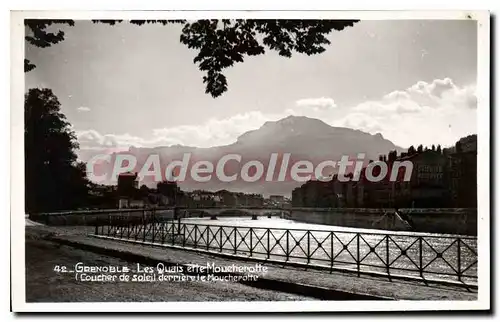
(429, 257)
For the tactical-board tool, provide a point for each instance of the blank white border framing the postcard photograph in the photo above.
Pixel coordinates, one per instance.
(17, 168)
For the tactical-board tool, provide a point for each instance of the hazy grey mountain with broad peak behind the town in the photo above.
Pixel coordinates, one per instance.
(304, 138)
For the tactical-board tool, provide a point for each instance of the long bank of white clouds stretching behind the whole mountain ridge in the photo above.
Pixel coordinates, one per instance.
(437, 112)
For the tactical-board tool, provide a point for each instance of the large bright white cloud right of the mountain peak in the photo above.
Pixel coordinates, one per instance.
(425, 113)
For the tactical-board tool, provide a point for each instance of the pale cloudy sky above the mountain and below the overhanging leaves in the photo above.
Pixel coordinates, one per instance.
(412, 81)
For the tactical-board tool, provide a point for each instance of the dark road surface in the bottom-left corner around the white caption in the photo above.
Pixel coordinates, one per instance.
(44, 284)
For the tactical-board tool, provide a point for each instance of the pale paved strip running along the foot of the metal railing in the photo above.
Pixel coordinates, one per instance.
(344, 282)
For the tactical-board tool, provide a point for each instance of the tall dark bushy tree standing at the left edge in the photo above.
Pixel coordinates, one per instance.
(54, 180)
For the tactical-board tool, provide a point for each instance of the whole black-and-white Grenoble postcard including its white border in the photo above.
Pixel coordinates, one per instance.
(280, 161)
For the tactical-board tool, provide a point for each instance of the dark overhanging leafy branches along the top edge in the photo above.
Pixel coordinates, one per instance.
(222, 43)
